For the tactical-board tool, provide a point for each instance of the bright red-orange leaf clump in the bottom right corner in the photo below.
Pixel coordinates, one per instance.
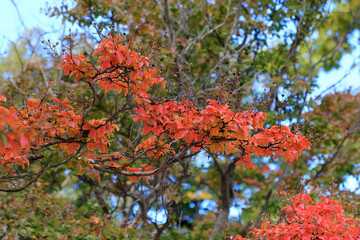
(305, 219)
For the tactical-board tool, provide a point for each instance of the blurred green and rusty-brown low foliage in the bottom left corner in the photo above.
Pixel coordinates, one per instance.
(32, 214)
